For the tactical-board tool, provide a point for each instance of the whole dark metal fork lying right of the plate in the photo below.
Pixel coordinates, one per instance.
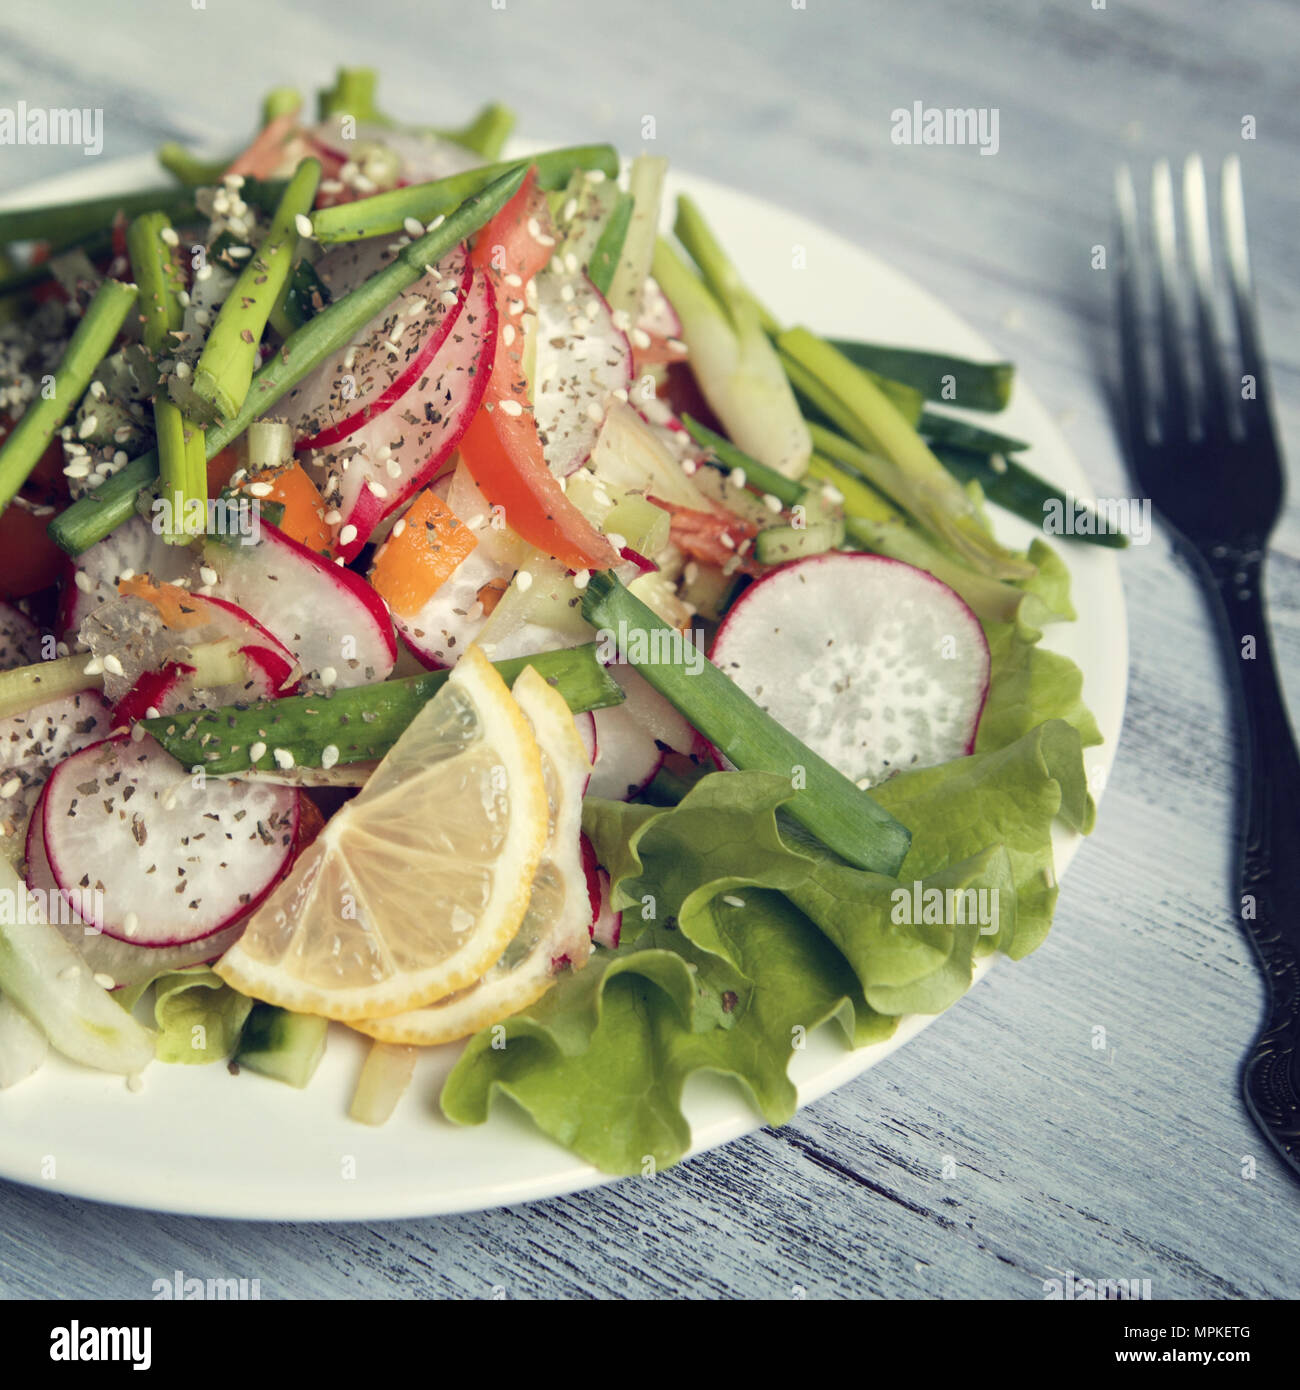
(1205, 450)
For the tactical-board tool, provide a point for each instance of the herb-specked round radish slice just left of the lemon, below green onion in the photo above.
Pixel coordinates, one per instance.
(174, 858)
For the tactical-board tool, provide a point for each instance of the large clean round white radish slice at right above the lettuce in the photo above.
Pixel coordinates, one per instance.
(872, 664)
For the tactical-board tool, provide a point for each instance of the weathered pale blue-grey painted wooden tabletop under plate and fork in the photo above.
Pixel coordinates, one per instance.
(1123, 1161)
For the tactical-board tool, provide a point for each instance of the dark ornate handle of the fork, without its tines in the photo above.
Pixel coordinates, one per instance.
(1270, 851)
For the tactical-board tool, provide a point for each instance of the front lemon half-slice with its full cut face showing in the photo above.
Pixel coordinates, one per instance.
(416, 886)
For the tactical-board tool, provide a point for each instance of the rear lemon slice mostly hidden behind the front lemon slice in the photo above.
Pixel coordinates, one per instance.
(554, 935)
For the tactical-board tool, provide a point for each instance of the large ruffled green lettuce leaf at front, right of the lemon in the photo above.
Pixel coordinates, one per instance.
(742, 936)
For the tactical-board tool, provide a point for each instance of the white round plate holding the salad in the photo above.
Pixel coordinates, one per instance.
(201, 1142)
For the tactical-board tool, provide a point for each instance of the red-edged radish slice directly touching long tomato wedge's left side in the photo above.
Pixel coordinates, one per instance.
(397, 452)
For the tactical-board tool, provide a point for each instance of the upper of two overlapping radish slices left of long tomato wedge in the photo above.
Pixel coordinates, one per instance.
(380, 365)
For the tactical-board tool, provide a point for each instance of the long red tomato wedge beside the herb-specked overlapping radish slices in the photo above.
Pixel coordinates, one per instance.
(503, 448)
